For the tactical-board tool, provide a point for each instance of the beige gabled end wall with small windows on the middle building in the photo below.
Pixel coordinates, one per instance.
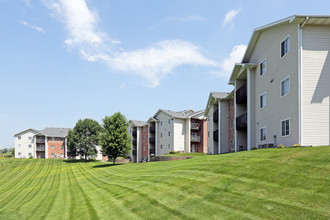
(163, 140)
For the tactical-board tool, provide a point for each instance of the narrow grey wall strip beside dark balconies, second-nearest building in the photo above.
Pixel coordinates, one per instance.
(223, 124)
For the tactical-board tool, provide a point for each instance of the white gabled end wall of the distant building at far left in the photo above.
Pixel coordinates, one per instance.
(25, 145)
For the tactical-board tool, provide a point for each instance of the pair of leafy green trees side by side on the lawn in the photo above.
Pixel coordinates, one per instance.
(112, 136)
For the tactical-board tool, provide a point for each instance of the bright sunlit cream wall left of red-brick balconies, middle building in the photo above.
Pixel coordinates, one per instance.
(179, 134)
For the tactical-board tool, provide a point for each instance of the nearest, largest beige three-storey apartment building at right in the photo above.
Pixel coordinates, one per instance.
(282, 85)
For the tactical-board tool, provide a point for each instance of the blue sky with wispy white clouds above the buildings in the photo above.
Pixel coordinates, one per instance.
(65, 60)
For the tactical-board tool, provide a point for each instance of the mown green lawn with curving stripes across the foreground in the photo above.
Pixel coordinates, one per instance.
(291, 183)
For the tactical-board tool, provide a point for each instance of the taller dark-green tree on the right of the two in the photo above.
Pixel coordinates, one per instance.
(114, 138)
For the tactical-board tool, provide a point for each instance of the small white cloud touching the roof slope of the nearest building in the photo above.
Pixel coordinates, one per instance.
(227, 64)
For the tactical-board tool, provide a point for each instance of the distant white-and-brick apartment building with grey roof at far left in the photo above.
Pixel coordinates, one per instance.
(47, 143)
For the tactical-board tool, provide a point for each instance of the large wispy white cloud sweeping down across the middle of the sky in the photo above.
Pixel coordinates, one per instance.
(152, 63)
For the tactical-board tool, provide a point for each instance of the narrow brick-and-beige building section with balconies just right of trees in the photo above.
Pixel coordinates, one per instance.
(140, 143)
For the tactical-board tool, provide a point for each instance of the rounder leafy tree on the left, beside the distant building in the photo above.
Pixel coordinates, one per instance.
(83, 139)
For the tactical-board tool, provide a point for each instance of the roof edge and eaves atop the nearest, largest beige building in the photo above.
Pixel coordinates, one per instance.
(294, 19)
